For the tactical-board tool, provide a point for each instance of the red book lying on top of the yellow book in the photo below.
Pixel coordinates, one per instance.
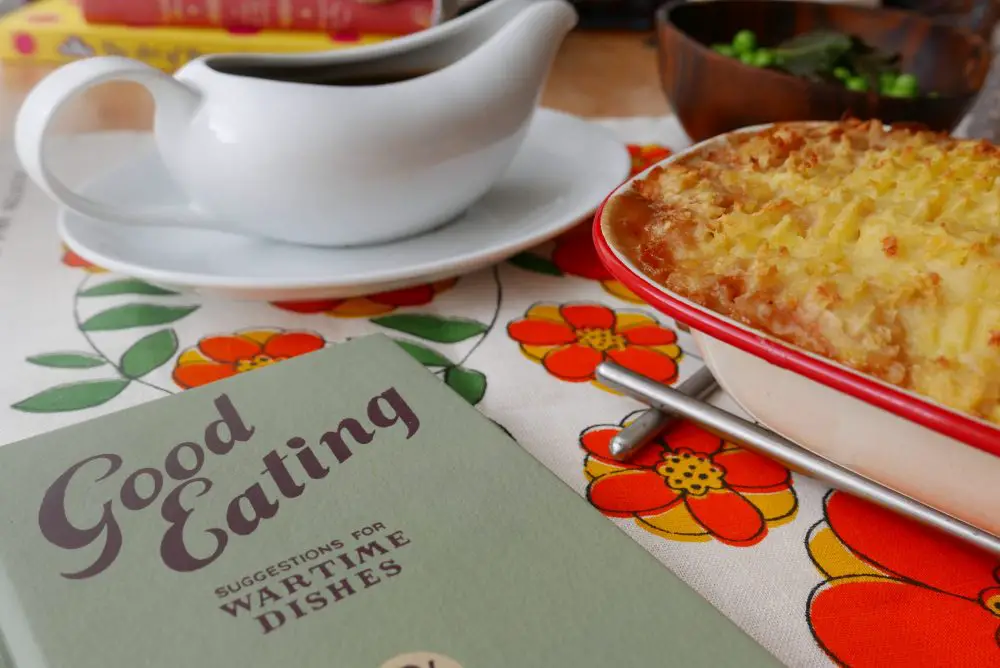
(390, 17)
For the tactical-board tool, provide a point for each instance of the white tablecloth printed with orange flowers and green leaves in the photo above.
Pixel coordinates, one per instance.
(817, 577)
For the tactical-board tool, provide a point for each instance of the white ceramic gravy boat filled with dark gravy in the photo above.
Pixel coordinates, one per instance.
(292, 148)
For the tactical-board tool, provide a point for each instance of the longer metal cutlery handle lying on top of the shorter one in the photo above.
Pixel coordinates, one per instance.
(792, 455)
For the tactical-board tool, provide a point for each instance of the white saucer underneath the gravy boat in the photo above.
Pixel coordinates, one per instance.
(563, 171)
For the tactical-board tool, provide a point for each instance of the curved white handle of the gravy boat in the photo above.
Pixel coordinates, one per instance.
(174, 101)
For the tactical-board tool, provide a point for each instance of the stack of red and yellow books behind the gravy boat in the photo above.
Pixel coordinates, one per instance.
(168, 33)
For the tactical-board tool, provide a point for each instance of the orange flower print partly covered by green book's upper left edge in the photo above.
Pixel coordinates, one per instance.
(218, 357)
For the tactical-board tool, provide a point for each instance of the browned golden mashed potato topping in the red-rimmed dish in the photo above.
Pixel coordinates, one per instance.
(877, 248)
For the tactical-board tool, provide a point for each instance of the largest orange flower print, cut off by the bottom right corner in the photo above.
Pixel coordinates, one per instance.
(898, 593)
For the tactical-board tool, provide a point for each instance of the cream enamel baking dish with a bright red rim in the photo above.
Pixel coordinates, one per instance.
(943, 457)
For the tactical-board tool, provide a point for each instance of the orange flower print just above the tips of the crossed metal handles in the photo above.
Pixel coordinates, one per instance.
(571, 340)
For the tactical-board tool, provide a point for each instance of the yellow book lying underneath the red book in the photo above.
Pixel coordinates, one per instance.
(54, 31)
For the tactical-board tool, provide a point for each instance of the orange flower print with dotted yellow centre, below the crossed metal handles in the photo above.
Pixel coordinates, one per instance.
(689, 485)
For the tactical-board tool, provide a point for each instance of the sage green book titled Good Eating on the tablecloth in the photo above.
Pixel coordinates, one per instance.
(343, 509)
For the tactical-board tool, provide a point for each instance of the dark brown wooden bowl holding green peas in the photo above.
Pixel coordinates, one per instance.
(712, 93)
